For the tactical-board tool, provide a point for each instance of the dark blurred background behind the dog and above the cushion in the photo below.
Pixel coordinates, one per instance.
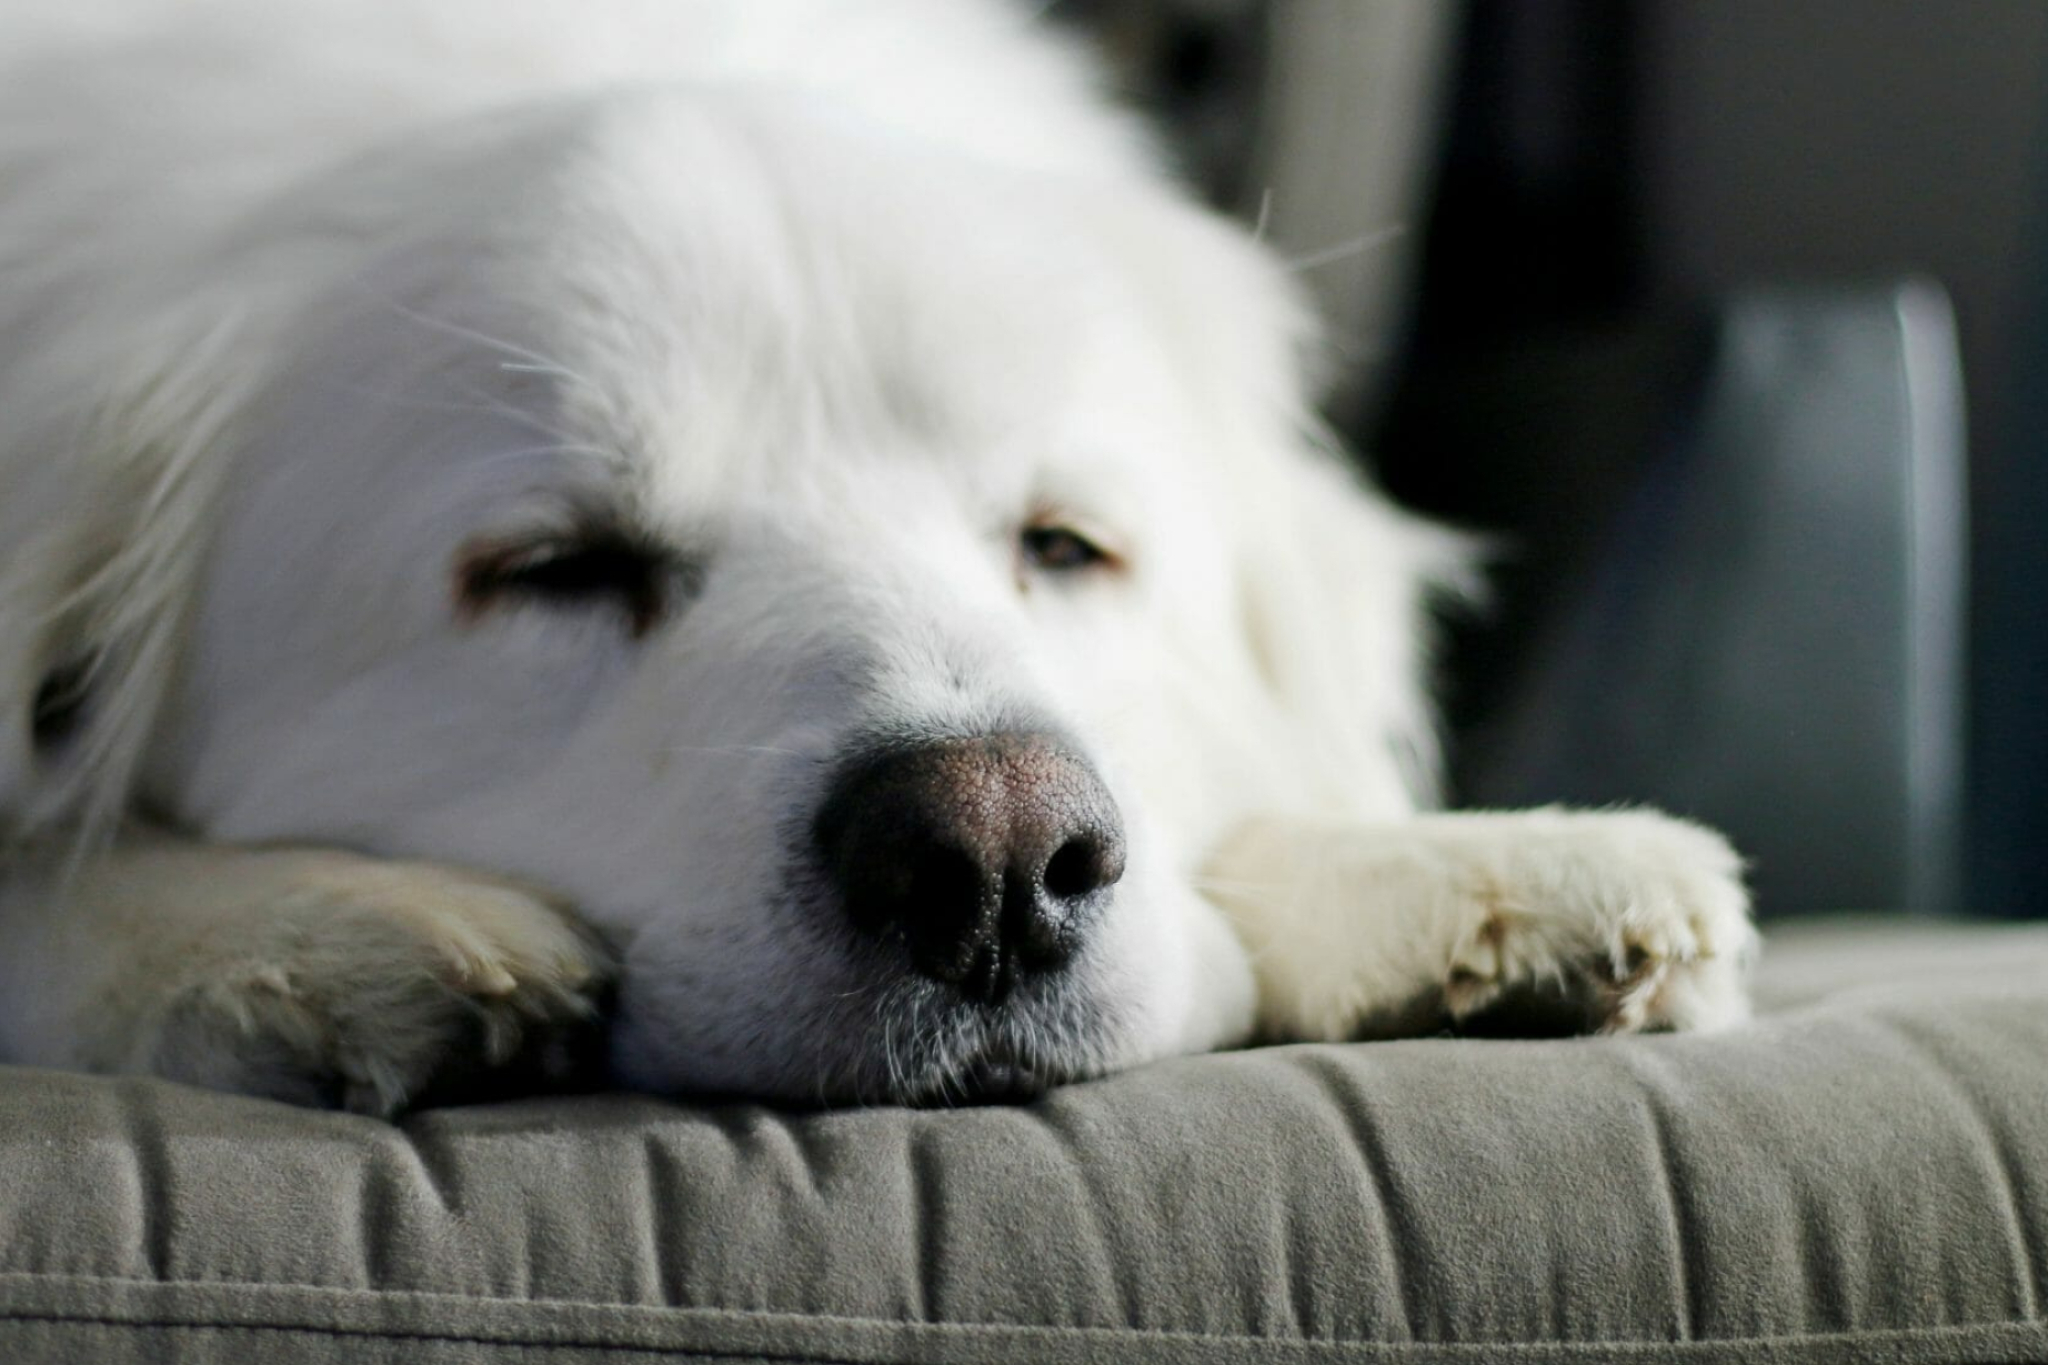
(1730, 322)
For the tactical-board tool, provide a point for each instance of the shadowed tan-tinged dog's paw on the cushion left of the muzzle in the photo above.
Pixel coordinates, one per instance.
(370, 985)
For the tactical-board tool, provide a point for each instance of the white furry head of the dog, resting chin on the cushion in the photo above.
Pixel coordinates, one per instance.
(861, 576)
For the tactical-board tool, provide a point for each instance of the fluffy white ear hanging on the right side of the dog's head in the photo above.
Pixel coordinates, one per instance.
(1342, 595)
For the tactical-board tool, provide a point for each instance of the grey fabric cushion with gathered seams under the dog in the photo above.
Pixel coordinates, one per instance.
(1863, 1176)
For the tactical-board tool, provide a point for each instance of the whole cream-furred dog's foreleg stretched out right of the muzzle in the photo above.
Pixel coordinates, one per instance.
(1615, 922)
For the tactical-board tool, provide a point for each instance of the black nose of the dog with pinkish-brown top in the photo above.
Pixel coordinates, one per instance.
(988, 856)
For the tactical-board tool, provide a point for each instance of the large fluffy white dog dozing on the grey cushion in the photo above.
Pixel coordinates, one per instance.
(773, 521)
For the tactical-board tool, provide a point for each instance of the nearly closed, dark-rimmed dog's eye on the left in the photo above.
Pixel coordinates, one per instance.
(599, 572)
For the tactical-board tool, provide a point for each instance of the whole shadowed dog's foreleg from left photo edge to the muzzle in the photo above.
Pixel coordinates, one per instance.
(302, 975)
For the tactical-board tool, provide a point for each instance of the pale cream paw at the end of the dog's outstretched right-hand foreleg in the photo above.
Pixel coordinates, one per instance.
(1615, 922)
